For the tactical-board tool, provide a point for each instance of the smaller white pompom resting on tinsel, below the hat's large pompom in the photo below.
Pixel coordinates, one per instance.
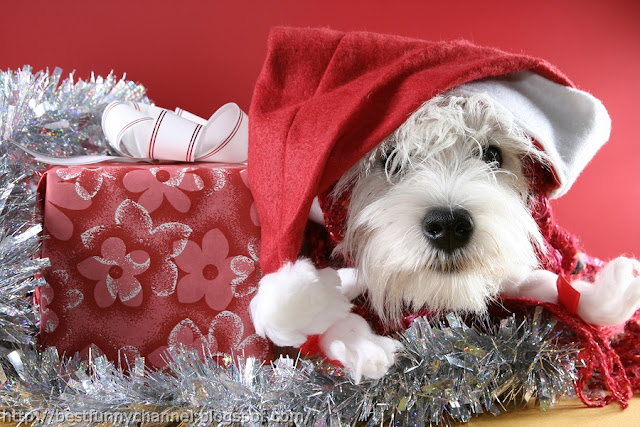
(352, 342)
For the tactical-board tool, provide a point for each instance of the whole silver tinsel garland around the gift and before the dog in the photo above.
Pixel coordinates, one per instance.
(447, 372)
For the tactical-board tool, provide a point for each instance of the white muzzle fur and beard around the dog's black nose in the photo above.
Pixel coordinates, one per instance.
(400, 268)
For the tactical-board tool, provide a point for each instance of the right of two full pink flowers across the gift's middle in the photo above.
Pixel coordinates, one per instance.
(212, 274)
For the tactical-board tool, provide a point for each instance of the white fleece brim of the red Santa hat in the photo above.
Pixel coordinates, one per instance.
(569, 124)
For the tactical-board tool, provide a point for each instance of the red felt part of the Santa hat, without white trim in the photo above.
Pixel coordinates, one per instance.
(325, 98)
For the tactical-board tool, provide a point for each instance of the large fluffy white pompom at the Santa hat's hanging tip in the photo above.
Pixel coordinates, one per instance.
(297, 301)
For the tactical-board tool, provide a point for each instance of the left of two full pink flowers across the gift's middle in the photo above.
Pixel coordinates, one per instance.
(116, 272)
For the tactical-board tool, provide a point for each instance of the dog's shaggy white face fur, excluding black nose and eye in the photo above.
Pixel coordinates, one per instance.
(437, 156)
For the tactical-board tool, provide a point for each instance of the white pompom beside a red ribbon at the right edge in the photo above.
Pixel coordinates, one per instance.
(614, 295)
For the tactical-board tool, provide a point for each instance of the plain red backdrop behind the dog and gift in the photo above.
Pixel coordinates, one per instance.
(201, 54)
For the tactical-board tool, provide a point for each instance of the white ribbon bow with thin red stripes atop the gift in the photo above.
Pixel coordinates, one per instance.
(139, 132)
